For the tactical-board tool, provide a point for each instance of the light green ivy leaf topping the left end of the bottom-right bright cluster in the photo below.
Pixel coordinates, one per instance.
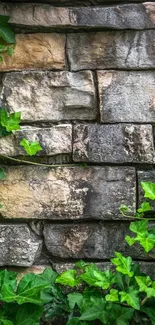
(68, 278)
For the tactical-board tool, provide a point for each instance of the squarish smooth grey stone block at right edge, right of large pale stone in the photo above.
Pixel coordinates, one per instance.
(127, 96)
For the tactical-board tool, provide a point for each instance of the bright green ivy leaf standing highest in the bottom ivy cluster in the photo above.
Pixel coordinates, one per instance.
(123, 264)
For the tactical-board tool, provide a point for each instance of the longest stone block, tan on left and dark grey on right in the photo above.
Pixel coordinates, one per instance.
(67, 193)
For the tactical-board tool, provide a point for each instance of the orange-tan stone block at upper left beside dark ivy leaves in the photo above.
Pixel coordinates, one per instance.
(36, 51)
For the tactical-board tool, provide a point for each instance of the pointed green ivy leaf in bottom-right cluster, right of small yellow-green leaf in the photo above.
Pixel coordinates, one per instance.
(131, 297)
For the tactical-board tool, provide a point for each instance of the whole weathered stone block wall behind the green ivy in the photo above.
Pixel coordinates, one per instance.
(84, 79)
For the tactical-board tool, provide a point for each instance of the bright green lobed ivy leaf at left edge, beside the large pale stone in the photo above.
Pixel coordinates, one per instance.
(10, 121)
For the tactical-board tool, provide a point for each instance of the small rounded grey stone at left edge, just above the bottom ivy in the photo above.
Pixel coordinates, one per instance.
(18, 245)
